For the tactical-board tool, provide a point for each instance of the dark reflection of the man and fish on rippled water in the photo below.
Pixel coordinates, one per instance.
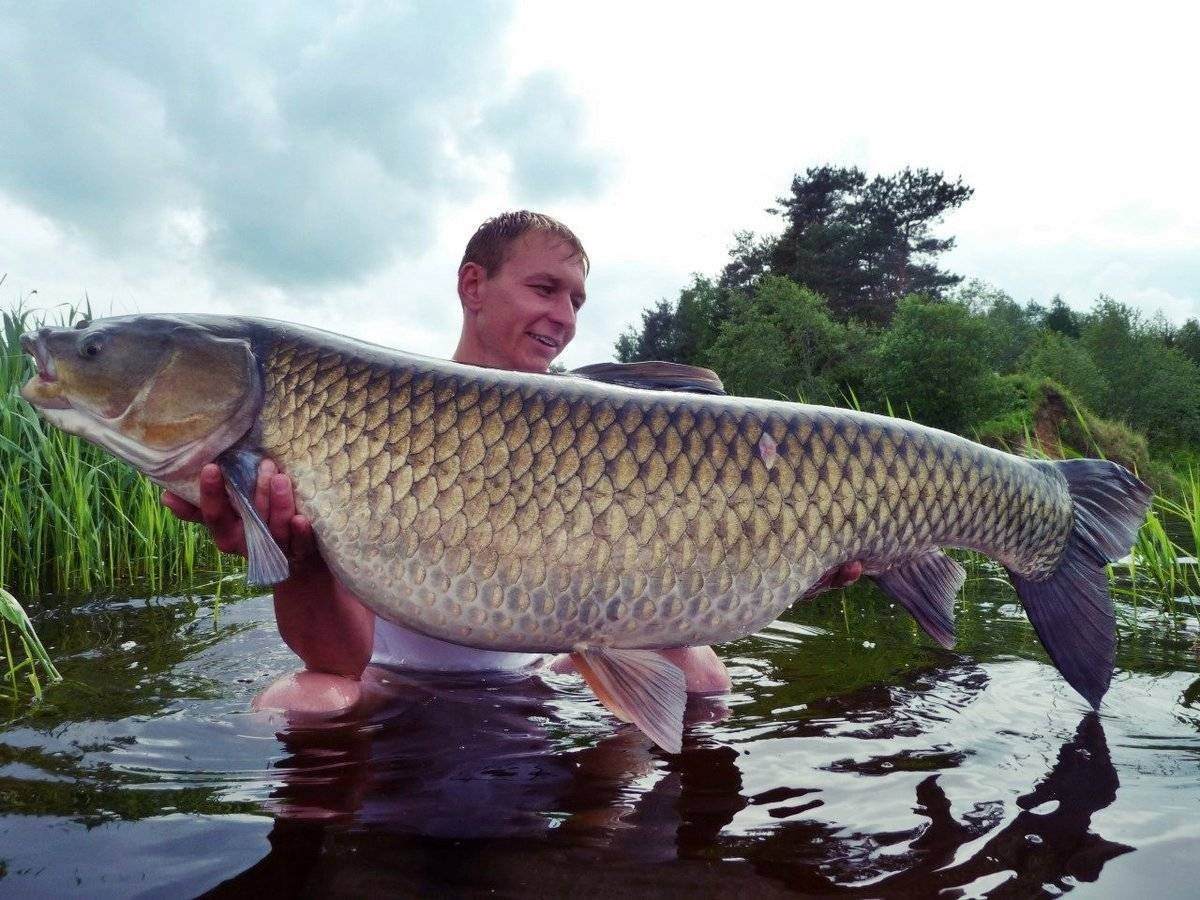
(466, 766)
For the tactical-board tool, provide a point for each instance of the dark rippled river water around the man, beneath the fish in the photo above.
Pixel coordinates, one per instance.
(854, 758)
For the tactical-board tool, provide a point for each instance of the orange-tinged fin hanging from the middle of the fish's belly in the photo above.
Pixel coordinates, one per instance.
(639, 687)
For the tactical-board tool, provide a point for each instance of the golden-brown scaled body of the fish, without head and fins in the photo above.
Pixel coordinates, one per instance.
(503, 515)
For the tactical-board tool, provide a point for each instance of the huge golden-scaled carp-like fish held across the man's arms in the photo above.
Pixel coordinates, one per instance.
(579, 514)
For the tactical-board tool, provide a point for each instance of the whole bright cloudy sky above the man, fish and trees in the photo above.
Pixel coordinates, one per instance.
(327, 163)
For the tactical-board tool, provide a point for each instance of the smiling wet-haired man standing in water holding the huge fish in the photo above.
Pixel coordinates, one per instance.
(521, 285)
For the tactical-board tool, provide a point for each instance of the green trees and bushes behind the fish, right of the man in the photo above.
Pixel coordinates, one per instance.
(849, 307)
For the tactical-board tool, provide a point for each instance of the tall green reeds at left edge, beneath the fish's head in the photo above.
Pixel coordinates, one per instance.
(73, 518)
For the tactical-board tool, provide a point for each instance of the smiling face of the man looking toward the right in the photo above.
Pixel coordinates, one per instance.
(525, 313)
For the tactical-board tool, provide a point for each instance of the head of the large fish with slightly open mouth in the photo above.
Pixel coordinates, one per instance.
(166, 394)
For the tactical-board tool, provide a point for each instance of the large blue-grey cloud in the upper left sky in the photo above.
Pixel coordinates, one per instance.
(301, 146)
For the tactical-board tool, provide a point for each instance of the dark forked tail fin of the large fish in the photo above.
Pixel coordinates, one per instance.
(1071, 610)
